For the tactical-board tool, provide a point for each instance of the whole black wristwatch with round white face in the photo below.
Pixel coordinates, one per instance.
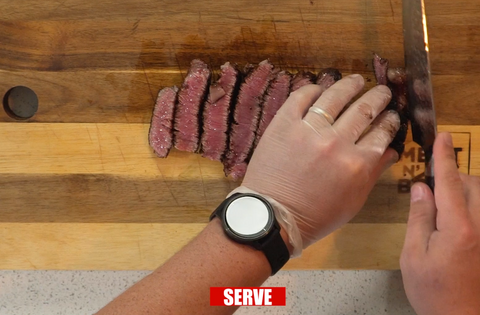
(249, 219)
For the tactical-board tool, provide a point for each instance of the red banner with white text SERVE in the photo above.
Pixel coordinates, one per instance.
(248, 296)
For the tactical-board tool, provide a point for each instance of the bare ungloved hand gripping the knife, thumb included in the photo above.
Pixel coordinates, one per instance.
(440, 261)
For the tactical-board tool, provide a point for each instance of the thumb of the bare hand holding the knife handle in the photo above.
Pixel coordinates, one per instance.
(422, 218)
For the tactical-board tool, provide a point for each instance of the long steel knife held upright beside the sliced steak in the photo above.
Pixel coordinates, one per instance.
(419, 84)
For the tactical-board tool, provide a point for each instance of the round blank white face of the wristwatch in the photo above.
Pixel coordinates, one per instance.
(249, 217)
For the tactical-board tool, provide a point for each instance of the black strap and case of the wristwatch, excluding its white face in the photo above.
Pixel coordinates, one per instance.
(272, 245)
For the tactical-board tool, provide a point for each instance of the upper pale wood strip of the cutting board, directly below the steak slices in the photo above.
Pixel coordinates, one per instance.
(116, 149)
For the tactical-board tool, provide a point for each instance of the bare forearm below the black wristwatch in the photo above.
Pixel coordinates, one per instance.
(182, 284)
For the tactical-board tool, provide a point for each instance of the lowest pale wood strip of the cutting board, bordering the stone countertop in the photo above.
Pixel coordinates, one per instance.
(38, 246)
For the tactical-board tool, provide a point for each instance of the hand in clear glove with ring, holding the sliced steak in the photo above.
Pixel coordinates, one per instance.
(319, 175)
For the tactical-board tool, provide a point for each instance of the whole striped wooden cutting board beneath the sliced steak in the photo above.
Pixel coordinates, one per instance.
(79, 185)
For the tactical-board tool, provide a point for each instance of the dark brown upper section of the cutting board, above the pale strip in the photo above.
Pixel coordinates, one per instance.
(104, 61)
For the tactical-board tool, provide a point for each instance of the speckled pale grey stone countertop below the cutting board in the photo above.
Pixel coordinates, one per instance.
(308, 292)
